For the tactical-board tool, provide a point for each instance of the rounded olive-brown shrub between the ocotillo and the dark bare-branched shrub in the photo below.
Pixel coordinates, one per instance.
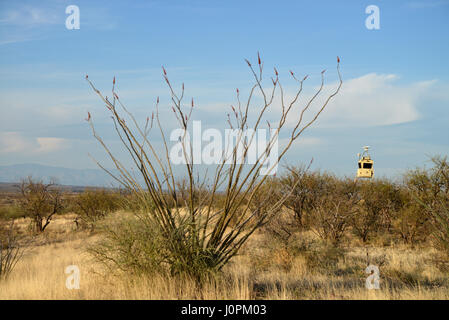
(93, 205)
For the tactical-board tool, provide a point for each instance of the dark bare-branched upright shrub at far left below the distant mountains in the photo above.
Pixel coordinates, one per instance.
(40, 201)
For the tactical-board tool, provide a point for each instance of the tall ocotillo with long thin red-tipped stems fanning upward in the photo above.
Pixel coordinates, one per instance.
(205, 220)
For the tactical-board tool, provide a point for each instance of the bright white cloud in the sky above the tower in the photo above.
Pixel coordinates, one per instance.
(371, 100)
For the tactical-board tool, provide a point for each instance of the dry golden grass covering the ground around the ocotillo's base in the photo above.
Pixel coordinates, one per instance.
(263, 270)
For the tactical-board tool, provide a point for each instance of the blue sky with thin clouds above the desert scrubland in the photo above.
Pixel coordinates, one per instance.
(394, 98)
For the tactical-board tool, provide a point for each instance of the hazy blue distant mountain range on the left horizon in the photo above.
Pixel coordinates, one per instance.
(64, 176)
